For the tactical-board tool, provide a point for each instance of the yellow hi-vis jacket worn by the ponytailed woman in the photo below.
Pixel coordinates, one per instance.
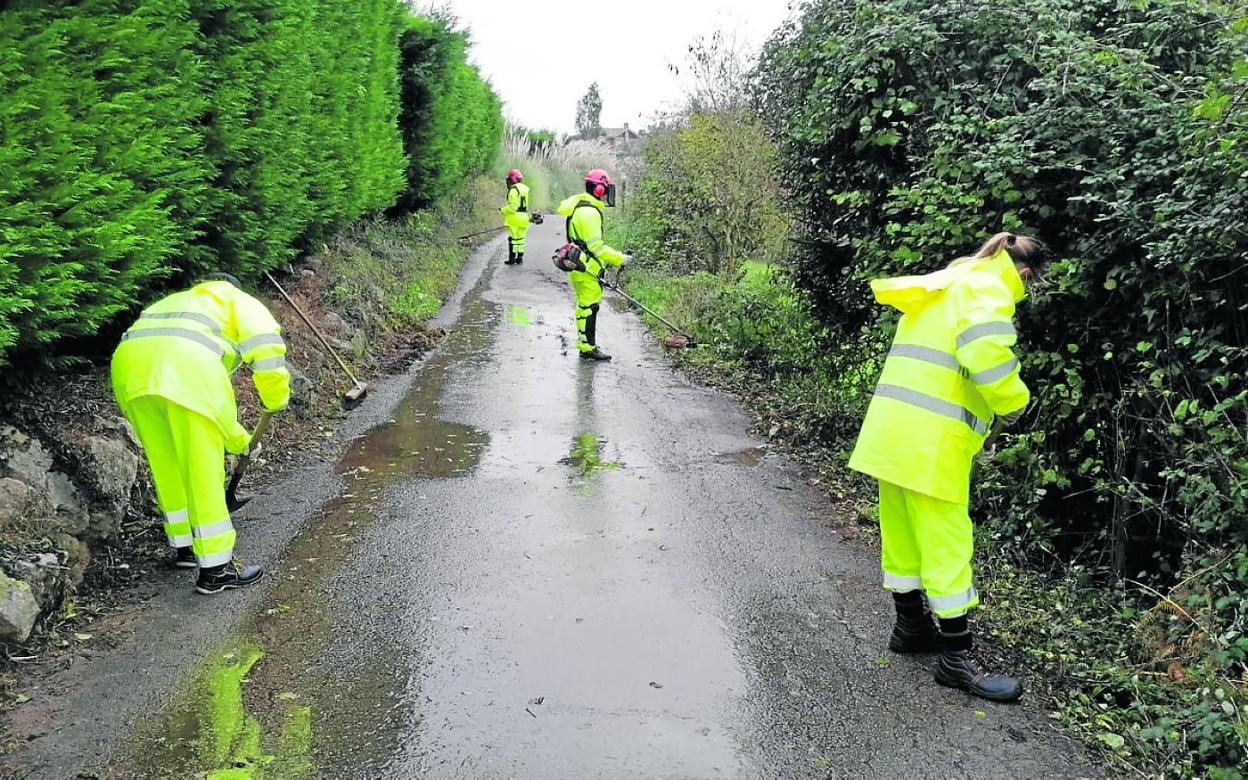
(949, 373)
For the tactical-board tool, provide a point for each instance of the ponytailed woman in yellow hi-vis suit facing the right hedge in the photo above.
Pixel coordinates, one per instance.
(950, 380)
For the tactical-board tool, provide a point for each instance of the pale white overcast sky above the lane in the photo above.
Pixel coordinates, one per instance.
(540, 54)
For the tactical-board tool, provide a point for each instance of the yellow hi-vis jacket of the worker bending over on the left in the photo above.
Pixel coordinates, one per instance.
(185, 346)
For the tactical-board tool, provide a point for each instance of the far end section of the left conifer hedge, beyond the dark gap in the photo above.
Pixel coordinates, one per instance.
(452, 120)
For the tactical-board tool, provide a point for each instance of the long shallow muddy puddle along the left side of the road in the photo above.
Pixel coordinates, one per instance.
(268, 703)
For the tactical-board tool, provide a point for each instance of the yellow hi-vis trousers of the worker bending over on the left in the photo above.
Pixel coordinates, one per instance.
(187, 454)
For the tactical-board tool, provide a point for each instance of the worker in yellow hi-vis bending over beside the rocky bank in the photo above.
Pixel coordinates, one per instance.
(172, 379)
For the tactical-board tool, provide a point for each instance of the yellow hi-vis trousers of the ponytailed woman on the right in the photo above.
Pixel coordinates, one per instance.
(927, 545)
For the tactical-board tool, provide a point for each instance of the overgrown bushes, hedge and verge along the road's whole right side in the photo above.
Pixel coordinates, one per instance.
(1113, 522)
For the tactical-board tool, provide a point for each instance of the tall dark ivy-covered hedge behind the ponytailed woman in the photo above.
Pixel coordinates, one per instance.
(1118, 132)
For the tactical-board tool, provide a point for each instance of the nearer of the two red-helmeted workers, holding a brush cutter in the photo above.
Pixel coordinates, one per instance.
(586, 222)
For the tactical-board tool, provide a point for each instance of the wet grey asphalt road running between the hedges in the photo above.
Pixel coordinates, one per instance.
(535, 567)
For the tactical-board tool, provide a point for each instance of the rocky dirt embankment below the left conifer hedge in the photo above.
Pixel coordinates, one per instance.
(78, 524)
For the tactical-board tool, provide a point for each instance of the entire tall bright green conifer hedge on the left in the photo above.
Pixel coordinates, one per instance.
(145, 142)
